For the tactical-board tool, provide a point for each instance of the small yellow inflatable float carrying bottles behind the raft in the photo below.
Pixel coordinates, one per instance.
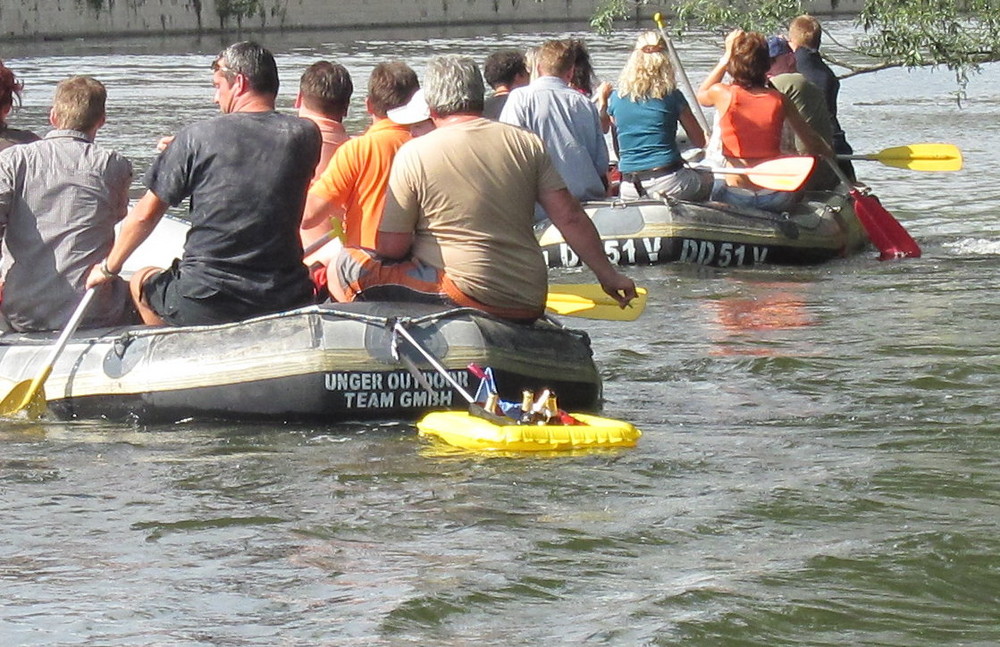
(462, 429)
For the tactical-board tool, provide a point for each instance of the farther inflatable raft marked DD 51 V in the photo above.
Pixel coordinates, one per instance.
(647, 232)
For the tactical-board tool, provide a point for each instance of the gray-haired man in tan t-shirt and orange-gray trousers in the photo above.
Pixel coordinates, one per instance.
(457, 223)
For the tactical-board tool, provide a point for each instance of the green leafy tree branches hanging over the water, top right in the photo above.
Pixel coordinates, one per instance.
(957, 34)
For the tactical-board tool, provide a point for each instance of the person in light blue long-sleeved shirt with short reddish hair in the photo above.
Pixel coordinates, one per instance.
(565, 119)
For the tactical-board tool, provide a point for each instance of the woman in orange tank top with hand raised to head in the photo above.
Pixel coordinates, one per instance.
(751, 116)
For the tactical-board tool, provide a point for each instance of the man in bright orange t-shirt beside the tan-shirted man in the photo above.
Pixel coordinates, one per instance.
(352, 188)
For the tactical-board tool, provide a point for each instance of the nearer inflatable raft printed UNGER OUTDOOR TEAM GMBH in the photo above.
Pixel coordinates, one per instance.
(326, 363)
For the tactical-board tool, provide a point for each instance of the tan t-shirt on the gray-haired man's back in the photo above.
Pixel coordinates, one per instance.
(476, 225)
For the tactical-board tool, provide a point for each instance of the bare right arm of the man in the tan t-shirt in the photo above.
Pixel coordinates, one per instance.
(579, 233)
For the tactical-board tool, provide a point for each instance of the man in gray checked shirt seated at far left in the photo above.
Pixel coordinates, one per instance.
(60, 199)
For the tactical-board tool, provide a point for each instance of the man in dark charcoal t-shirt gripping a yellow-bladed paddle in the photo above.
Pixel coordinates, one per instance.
(246, 173)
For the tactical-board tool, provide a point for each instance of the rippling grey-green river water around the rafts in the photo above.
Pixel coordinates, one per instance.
(819, 465)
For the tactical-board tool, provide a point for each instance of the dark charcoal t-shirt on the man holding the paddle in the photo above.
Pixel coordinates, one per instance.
(246, 174)
